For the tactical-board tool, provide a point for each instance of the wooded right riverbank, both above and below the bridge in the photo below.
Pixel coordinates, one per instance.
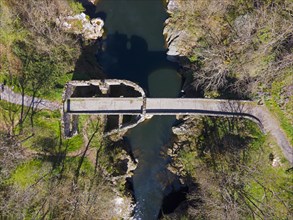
(204, 155)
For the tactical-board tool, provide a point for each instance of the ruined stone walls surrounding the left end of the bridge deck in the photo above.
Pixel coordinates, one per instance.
(101, 88)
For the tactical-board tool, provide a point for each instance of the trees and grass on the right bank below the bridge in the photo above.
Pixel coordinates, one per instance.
(230, 162)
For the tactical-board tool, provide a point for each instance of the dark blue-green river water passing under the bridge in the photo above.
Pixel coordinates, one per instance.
(134, 50)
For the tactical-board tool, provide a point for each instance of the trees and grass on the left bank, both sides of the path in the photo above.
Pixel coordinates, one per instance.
(42, 174)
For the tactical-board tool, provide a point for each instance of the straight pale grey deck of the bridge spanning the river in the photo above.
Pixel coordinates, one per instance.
(154, 106)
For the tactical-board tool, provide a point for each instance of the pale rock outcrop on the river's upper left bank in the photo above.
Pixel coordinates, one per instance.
(81, 24)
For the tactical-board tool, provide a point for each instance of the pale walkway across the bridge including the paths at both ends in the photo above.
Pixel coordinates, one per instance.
(156, 106)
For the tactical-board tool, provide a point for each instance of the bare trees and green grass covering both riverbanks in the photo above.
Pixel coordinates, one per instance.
(236, 48)
